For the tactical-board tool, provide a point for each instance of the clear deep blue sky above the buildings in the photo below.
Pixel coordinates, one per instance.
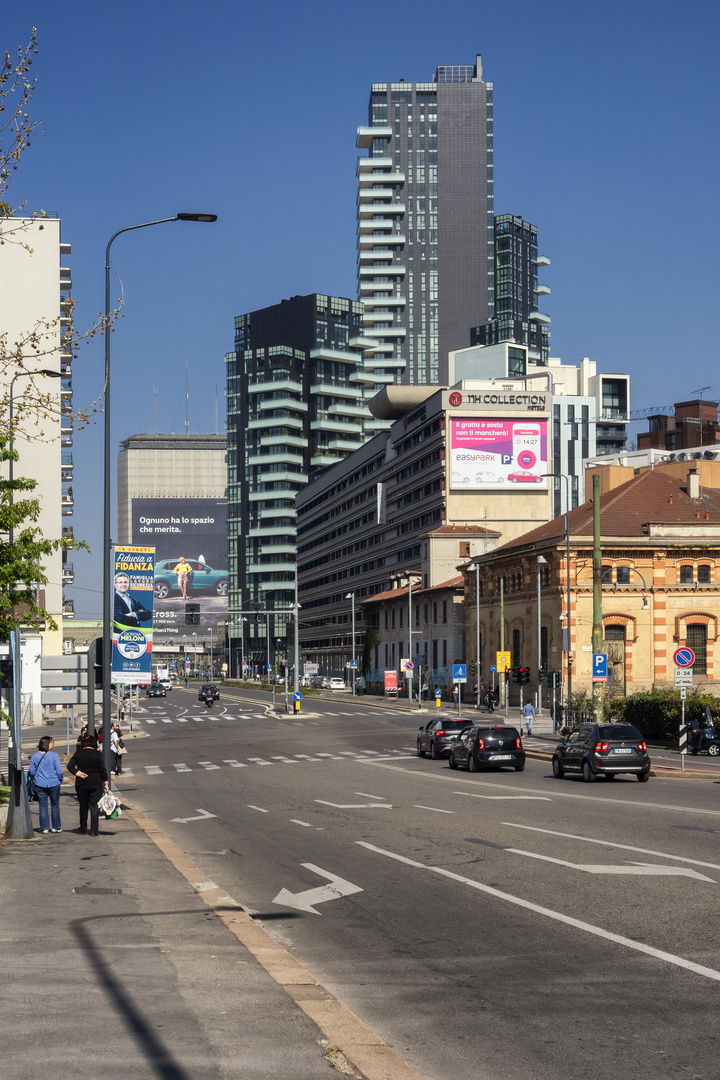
(607, 120)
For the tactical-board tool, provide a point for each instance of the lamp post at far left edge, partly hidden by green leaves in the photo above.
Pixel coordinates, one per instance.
(20, 823)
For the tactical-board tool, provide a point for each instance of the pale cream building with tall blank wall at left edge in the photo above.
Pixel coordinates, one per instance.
(35, 321)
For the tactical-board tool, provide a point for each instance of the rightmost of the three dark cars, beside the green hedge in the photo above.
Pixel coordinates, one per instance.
(603, 750)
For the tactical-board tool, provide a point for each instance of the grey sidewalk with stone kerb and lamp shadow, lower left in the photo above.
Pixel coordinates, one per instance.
(123, 961)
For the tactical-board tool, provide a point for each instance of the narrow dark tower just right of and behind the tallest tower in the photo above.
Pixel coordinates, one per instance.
(518, 317)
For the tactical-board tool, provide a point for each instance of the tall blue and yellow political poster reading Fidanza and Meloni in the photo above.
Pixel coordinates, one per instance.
(132, 615)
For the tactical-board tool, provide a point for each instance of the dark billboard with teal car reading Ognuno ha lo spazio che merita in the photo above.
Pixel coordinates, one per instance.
(191, 538)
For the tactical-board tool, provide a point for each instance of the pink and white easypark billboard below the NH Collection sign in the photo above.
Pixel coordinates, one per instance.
(497, 454)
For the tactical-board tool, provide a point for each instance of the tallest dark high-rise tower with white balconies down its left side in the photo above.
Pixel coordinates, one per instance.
(426, 252)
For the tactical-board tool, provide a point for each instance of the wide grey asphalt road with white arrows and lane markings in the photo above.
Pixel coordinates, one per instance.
(498, 925)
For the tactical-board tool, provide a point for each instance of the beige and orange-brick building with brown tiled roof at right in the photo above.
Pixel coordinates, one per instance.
(661, 584)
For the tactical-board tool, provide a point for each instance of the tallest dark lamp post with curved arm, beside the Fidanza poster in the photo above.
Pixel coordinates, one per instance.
(107, 542)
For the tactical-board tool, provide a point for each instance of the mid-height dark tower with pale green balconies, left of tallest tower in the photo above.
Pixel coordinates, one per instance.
(295, 388)
